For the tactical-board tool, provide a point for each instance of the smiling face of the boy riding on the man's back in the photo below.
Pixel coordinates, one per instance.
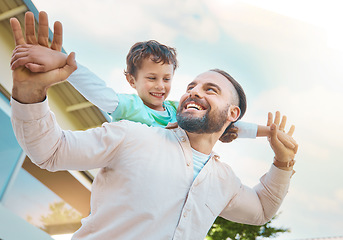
(152, 83)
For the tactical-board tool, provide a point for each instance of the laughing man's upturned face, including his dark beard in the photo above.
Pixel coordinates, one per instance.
(205, 107)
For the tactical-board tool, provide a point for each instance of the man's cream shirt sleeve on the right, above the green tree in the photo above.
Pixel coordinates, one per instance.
(258, 205)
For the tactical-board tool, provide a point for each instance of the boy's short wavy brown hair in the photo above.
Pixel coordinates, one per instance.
(152, 49)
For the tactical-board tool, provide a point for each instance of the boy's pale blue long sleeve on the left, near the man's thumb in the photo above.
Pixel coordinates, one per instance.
(94, 89)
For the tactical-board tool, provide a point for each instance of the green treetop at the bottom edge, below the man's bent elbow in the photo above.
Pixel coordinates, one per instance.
(223, 229)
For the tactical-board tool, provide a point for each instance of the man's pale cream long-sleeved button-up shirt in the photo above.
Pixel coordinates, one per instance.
(145, 188)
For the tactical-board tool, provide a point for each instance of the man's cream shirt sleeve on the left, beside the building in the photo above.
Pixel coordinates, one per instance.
(52, 148)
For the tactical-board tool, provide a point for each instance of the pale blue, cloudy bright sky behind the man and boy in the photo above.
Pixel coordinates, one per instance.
(286, 54)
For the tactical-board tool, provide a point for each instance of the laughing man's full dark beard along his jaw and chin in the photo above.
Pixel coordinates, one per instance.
(209, 123)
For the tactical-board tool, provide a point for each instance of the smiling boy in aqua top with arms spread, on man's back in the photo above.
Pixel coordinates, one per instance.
(150, 70)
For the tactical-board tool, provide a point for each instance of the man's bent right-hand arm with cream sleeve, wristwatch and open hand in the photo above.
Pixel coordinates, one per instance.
(258, 205)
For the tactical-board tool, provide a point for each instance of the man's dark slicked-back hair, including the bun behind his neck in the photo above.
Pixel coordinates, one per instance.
(242, 101)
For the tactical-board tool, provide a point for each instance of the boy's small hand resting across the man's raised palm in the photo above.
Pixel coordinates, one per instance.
(37, 58)
